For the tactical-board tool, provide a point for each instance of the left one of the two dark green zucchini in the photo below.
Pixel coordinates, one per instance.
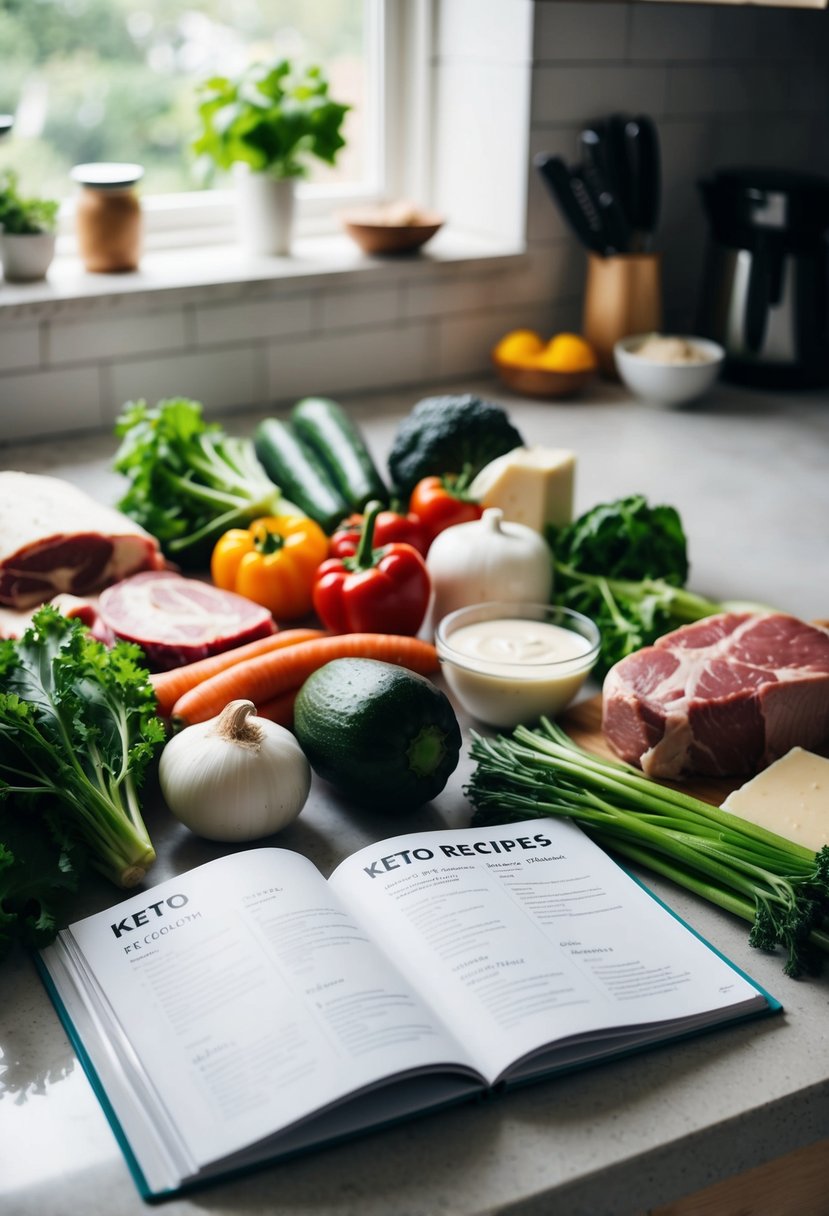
(300, 474)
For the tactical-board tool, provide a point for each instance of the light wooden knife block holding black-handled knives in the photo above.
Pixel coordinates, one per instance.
(623, 297)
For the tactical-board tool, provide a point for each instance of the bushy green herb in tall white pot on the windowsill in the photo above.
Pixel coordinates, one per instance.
(268, 126)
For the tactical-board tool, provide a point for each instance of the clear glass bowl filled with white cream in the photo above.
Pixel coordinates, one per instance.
(512, 663)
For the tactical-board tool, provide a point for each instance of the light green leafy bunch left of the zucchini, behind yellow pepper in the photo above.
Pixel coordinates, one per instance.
(190, 482)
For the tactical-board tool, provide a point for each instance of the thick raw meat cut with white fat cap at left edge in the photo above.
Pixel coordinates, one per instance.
(55, 538)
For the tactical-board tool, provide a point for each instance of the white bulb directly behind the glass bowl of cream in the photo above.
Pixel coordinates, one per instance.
(489, 559)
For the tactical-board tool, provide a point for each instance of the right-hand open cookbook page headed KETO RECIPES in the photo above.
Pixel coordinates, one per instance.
(526, 934)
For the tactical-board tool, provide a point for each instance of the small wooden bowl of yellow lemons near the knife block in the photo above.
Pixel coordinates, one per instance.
(557, 368)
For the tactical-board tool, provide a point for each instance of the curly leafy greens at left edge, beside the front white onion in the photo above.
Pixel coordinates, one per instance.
(77, 734)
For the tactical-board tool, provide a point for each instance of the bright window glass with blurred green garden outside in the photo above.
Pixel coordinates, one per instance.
(116, 81)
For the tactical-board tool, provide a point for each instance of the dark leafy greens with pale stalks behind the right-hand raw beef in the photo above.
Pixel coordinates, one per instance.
(625, 565)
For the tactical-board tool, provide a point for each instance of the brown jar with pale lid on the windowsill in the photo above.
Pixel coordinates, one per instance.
(109, 222)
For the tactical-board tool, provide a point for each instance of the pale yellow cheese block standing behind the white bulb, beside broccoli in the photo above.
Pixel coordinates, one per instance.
(532, 486)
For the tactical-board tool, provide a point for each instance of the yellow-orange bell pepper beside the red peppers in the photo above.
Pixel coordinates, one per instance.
(272, 562)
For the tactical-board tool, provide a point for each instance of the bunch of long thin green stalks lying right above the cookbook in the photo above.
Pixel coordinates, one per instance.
(780, 887)
